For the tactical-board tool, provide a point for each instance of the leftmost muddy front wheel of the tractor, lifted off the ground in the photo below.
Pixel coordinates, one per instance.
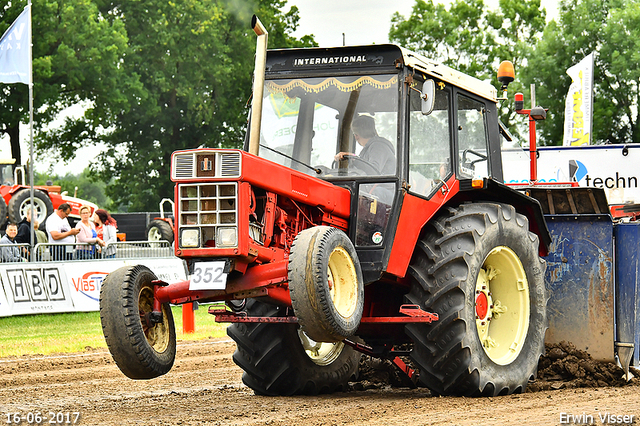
(141, 348)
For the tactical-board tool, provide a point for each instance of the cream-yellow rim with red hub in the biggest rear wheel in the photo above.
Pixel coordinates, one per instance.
(502, 307)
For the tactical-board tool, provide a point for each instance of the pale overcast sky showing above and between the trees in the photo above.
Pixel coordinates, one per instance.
(361, 22)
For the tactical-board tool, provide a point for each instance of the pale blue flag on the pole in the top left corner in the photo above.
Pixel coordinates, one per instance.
(15, 51)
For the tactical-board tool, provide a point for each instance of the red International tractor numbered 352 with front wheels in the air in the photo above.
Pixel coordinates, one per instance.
(321, 254)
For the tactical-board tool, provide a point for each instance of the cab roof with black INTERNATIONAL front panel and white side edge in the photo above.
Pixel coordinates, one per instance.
(367, 59)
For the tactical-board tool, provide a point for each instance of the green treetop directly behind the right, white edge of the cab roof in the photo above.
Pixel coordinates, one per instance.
(469, 37)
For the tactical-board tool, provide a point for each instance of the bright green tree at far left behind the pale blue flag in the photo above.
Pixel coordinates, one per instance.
(76, 57)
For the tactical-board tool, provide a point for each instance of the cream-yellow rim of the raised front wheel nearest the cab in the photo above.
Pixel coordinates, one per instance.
(343, 282)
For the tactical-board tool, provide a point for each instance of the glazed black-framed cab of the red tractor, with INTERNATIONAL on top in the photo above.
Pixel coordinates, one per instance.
(380, 121)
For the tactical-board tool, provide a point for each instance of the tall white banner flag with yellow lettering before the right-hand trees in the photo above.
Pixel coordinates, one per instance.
(578, 112)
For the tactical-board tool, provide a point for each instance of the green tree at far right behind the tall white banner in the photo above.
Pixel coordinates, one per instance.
(611, 29)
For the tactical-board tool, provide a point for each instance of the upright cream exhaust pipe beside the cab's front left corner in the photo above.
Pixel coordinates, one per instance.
(258, 84)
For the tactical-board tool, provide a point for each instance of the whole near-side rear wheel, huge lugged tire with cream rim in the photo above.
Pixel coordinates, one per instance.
(478, 267)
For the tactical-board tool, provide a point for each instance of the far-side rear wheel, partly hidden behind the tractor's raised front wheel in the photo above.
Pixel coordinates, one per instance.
(278, 359)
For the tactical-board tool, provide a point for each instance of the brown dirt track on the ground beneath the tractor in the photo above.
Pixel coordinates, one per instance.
(205, 387)
